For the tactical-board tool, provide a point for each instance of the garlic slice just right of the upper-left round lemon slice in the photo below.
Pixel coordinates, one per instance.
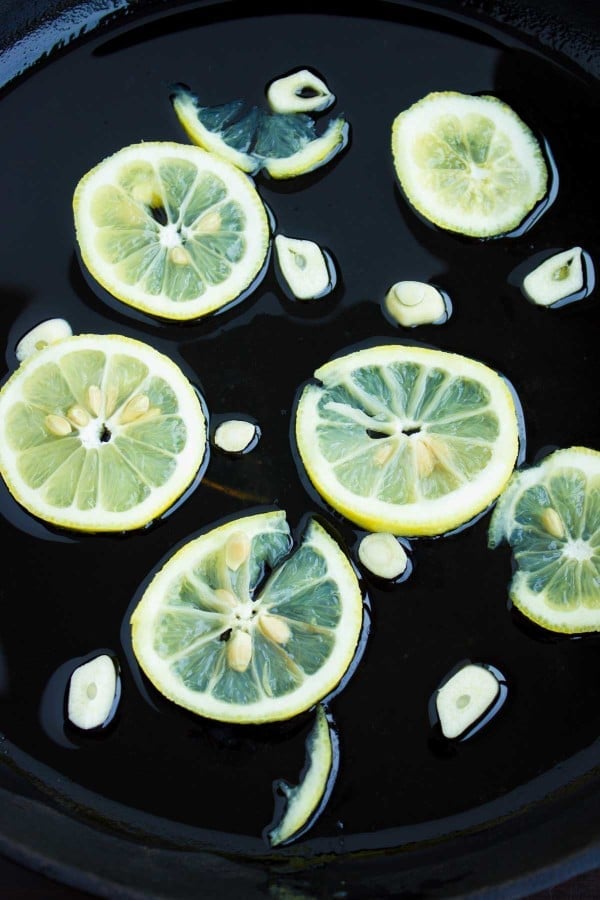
(304, 266)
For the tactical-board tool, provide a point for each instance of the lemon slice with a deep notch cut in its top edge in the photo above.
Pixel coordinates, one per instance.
(233, 628)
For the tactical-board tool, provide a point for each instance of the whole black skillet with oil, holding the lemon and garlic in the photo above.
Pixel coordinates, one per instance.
(165, 805)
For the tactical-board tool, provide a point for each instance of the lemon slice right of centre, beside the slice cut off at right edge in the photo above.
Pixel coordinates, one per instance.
(406, 439)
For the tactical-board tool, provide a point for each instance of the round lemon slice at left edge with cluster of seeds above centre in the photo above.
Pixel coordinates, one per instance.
(99, 433)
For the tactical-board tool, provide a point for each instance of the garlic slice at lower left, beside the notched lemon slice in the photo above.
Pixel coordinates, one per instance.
(92, 690)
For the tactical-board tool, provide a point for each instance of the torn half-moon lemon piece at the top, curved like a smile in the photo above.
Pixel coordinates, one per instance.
(282, 144)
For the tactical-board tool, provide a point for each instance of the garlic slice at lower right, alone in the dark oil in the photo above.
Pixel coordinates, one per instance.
(464, 698)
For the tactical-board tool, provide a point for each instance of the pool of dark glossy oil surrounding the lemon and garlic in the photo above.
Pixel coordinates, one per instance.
(67, 597)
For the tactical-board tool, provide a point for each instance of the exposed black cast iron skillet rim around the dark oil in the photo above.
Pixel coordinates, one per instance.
(513, 856)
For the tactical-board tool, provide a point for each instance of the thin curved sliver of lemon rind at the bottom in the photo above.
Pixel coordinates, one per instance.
(304, 799)
